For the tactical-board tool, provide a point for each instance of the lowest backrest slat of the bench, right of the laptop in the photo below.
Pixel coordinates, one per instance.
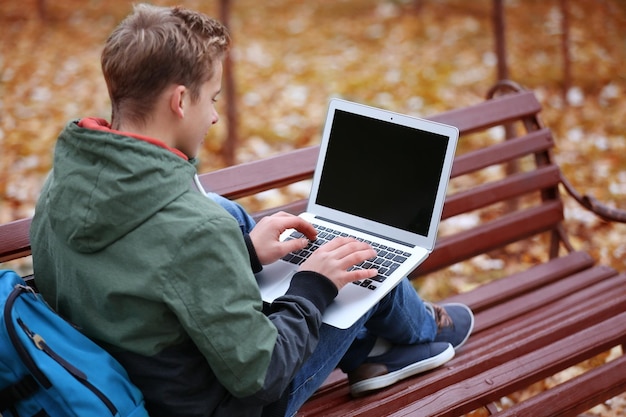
(497, 233)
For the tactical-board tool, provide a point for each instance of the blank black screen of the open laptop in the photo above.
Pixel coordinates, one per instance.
(382, 171)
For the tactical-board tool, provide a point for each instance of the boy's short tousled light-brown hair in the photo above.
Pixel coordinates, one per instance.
(155, 47)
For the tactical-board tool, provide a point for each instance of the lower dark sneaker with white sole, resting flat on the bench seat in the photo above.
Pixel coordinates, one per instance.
(400, 362)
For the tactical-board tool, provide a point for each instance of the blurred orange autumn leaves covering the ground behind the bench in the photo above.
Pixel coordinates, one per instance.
(413, 56)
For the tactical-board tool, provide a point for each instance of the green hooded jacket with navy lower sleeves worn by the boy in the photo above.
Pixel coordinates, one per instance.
(128, 250)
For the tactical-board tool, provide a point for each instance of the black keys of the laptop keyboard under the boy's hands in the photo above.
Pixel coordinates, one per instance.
(388, 258)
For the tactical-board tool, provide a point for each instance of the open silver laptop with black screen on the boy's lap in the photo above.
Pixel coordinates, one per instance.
(382, 178)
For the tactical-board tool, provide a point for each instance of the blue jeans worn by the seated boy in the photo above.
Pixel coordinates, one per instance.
(400, 317)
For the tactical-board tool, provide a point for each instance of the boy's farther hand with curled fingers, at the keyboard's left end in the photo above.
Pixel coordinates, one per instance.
(265, 236)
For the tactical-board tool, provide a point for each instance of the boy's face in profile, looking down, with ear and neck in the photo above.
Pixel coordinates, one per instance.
(200, 115)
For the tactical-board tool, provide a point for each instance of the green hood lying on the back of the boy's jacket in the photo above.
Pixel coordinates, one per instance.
(104, 184)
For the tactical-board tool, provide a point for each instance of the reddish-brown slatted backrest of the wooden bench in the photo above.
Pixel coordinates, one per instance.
(501, 192)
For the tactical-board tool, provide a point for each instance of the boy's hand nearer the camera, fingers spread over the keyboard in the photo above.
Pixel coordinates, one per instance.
(335, 257)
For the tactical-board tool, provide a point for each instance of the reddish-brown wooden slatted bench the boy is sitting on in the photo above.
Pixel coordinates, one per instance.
(531, 324)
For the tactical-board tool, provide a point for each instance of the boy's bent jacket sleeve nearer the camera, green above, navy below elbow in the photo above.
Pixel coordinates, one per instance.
(213, 292)
